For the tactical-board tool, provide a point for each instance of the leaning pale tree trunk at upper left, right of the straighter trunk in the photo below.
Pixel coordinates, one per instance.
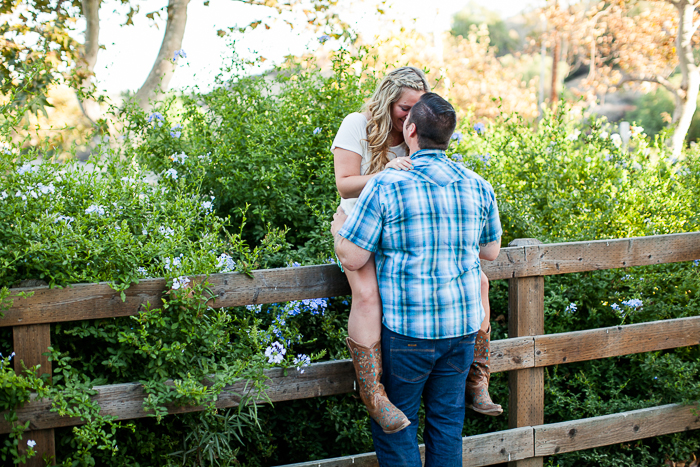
(163, 68)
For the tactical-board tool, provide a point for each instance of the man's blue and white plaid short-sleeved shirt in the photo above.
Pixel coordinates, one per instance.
(425, 226)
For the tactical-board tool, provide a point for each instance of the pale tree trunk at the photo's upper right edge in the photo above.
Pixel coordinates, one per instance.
(690, 83)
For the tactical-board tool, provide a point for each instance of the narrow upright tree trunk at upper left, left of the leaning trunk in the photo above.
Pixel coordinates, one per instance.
(91, 8)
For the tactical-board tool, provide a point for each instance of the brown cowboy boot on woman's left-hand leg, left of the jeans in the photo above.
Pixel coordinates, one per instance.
(368, 369)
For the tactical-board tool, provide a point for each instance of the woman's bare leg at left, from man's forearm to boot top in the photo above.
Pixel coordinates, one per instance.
(365, 322)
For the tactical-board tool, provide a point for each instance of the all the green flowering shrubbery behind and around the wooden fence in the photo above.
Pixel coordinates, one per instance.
(241, 178)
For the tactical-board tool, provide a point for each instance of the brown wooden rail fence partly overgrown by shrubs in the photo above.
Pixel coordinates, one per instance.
(524, 354)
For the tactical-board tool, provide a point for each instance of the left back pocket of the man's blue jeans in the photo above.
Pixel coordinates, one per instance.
(411, 360)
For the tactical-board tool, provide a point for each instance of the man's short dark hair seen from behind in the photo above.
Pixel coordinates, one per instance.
(435, 121)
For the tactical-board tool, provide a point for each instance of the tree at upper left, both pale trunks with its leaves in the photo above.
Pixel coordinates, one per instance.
(40, 31)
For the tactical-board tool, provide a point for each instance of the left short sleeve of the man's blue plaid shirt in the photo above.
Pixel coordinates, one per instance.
(364, 225)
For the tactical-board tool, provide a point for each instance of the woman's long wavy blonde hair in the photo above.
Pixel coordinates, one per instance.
(379, 106)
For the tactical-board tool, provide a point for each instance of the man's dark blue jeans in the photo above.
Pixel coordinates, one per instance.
(437, 369)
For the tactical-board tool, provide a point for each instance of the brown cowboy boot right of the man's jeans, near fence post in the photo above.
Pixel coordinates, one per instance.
(477, 391)
